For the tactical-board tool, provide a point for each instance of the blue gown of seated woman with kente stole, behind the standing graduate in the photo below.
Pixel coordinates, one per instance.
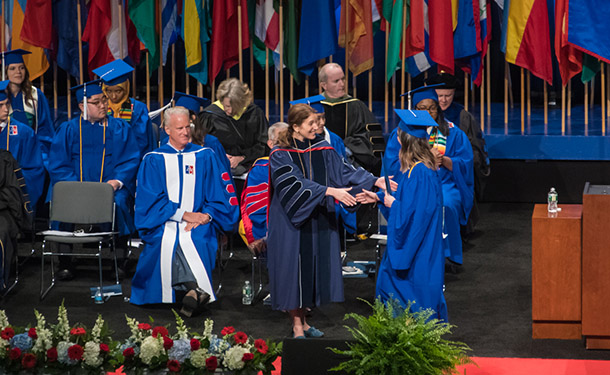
(458, 185)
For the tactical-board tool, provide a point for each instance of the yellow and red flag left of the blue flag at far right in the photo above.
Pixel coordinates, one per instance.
(528, 42)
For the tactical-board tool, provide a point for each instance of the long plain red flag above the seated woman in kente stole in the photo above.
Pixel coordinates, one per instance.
(441, 34)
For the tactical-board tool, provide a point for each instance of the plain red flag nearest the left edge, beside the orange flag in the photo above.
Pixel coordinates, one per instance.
(37, 27)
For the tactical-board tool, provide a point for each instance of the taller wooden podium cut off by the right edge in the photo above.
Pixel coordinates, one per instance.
(596, 266)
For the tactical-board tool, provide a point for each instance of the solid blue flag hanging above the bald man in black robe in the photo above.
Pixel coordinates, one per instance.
(318, 34)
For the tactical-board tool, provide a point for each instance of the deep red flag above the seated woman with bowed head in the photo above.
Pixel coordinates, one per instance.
(224, 47)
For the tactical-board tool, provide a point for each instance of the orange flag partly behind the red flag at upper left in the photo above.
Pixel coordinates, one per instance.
(36, 62)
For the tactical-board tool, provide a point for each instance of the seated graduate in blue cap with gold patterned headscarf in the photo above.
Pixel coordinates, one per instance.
(115, 78)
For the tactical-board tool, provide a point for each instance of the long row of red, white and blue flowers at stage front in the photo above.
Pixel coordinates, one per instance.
(61, 349)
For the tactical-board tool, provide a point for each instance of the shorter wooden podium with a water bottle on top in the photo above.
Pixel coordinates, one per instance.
(556, 272)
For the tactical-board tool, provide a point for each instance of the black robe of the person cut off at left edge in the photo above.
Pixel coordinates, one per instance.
(15, 211)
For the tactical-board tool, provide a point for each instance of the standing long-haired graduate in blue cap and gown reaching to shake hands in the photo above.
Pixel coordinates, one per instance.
(412, 268)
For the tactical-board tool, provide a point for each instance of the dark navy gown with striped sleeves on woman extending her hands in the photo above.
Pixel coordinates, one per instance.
(303, 247)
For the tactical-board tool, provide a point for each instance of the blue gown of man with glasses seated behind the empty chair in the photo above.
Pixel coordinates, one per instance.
(121, 161)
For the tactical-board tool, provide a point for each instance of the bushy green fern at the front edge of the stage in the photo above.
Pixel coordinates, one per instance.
(396, 341)
